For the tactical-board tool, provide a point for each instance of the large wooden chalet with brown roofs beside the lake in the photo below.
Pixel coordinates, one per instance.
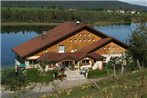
(70, 43)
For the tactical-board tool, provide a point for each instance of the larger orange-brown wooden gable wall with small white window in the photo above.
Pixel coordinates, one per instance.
(76, 41)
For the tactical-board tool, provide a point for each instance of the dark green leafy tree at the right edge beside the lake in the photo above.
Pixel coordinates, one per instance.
(138, 45)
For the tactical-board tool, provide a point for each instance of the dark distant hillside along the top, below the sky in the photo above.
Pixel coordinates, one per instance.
(74, 4)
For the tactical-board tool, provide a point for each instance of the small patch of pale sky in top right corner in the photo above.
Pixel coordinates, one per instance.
(137, 2)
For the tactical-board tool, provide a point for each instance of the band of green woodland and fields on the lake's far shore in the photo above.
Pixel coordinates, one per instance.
(58, 15)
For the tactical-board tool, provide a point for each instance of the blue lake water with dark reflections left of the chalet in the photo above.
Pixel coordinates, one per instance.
(12, 36)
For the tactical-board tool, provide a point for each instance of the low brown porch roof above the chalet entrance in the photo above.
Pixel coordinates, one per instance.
(57, 57)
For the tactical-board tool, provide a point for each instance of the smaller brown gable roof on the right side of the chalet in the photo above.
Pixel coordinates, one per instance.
(100, 43)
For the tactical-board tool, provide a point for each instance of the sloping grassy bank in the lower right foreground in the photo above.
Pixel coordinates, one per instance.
(129, 85)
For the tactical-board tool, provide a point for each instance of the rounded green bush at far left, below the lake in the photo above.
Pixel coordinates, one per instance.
(13, 81)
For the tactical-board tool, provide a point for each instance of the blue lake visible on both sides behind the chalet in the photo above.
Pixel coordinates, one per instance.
(12, 36)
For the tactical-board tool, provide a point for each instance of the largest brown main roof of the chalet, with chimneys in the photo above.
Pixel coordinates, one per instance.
(53, 36)
